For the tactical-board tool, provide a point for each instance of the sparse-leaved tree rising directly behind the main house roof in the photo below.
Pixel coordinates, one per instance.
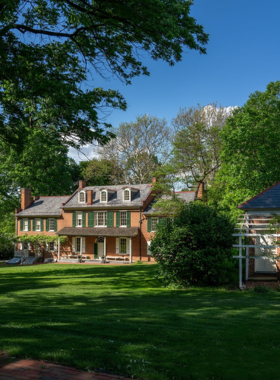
(139, 149)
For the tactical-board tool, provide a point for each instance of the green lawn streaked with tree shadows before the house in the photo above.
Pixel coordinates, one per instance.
(119, 317)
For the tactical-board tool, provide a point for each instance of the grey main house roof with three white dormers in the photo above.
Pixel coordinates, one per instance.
(115, 199)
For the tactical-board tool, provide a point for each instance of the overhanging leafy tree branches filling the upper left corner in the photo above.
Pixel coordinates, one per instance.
(49, 48)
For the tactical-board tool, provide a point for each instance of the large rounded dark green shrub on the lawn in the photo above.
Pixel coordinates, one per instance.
(195, 248)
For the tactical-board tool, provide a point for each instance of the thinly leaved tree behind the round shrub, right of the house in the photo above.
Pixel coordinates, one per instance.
(197, 143)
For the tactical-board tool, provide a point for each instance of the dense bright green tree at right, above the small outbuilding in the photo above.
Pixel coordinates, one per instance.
(250, 149)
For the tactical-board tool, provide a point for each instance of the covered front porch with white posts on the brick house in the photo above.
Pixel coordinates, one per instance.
(95, 244)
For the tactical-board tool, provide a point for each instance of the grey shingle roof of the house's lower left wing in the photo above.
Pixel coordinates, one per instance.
(45, 206)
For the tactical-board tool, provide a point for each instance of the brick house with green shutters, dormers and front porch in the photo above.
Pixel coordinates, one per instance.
(111, 222)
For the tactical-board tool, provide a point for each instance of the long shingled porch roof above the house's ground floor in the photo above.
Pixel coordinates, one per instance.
(99, 231)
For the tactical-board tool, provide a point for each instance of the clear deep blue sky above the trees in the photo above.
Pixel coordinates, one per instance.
(243, 56)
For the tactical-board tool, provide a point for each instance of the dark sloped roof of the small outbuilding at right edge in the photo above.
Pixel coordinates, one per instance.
(268, 199)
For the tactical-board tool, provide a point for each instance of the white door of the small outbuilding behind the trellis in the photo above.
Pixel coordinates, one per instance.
(264, 264)
